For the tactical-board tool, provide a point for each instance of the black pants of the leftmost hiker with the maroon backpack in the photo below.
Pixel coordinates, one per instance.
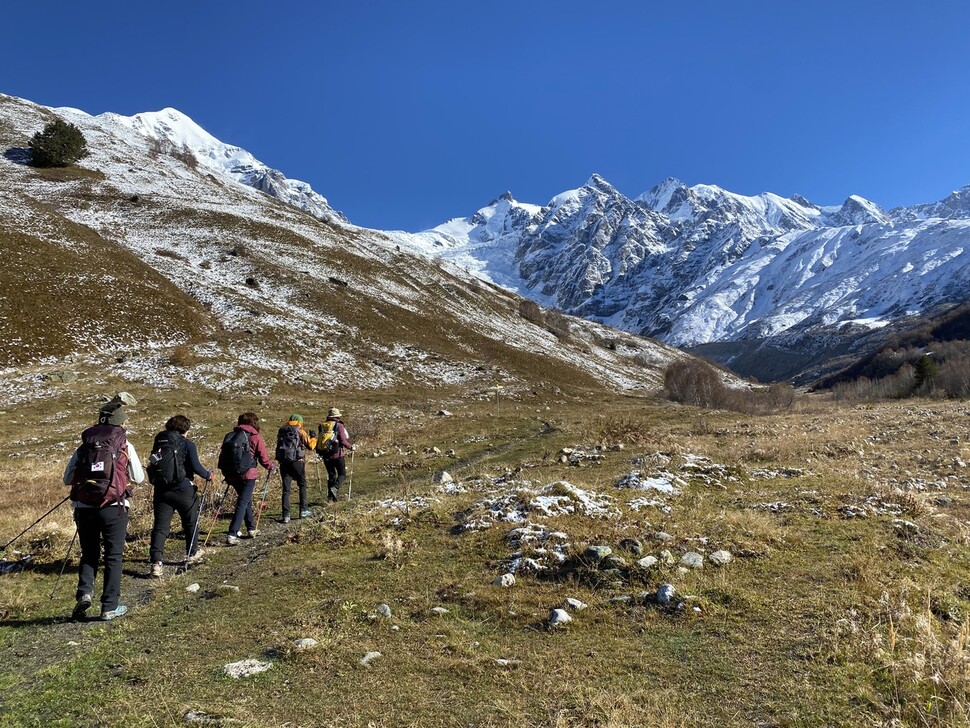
(99, 528)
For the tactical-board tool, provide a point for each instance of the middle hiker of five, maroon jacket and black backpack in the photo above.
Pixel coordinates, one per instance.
(242, 450)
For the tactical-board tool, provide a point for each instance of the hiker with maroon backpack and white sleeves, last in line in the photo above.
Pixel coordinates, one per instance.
(99, 473)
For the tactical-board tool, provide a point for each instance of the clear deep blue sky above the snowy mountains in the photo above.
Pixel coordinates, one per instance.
(405, 113)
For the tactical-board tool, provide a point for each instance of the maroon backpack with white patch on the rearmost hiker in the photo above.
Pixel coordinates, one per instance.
(101, 469)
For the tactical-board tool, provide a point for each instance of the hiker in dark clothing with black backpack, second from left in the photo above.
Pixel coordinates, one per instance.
(172, 468)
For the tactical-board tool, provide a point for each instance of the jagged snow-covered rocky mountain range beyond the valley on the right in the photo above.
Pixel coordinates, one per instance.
(703, 267)
